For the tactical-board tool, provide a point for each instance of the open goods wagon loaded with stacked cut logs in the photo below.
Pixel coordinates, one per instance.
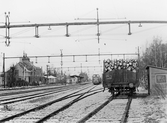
(121, 75)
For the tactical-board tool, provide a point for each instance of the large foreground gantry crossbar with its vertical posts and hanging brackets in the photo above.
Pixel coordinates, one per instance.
(8, 26)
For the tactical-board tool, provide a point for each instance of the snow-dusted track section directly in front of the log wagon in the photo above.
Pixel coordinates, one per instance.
(122, 110)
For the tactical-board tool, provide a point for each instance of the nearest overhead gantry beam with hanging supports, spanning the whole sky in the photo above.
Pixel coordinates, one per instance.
(8, 26)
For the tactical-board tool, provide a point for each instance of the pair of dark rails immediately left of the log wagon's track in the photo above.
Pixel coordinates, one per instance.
(80, 96)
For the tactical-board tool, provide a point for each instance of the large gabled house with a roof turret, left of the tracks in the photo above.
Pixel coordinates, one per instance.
(25, 70)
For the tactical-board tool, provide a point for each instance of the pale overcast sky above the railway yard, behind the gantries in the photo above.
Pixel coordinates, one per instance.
(83, 39)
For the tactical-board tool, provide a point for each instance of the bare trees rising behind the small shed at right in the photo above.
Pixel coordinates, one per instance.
(155, 55)
